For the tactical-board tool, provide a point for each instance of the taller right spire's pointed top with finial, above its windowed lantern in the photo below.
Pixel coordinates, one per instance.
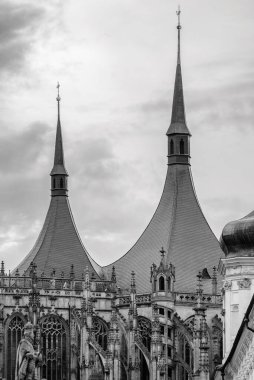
(178, 122)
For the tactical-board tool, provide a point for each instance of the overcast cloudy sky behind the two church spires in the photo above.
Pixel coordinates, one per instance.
(115, 61)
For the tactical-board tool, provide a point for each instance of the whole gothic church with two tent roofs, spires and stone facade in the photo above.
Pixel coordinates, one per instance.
(154, 314)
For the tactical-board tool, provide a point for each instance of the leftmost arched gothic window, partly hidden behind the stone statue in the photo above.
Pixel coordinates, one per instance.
(14, 332)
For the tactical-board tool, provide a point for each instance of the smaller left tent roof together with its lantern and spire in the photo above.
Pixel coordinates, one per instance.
(59, 246)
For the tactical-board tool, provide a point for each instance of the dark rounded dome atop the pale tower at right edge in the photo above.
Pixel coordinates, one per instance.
(237, 237)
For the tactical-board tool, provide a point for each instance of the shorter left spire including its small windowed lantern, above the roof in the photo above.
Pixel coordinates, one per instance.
(58, 173)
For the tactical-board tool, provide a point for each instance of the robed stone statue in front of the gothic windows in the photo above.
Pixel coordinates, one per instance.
(27, 359)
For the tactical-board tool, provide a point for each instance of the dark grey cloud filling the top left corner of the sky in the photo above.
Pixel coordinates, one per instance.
(23, 26)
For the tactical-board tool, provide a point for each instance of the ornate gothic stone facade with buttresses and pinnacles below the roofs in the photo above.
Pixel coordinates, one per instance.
(88, 330)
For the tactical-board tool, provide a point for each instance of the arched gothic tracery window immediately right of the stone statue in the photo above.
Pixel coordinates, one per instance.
(54, 342)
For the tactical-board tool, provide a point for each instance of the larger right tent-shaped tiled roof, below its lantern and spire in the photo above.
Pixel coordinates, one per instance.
(178, 225)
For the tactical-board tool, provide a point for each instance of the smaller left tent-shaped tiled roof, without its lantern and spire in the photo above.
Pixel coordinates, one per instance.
(58, 245)
